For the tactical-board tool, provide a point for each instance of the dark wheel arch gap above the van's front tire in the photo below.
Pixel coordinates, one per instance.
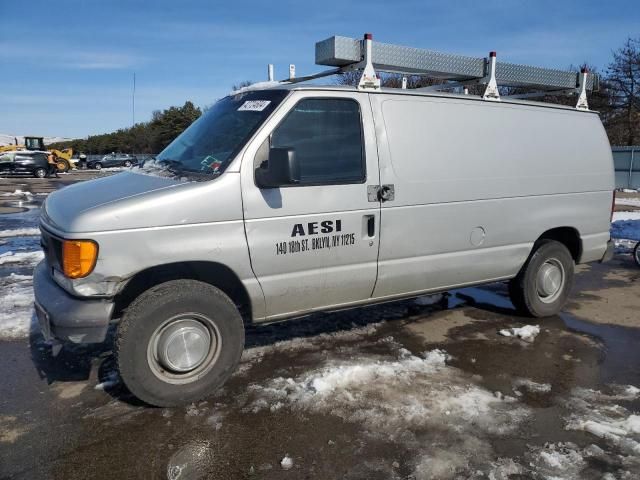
(213, 273)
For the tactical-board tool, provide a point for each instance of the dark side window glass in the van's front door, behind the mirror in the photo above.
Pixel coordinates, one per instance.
(326, 135)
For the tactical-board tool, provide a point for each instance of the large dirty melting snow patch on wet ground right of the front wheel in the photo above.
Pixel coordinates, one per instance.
(420, 402)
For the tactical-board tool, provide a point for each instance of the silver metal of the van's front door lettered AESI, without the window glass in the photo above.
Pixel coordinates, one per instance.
(314, 274)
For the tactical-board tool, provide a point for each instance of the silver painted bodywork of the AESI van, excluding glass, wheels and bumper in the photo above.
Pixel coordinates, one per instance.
(476, 183)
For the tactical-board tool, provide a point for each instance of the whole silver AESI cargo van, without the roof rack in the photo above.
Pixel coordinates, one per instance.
(283, 201)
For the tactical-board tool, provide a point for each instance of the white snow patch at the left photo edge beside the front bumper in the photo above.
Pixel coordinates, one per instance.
(16, 306)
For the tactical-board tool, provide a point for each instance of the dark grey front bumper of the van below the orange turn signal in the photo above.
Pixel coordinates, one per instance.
(68, 318)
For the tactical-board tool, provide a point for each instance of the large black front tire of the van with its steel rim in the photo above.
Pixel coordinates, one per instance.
(151, 313)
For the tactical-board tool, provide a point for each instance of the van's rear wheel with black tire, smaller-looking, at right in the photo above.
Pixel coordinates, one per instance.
(527, 291)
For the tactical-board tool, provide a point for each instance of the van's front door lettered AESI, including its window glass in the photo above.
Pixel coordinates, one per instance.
(315, 244)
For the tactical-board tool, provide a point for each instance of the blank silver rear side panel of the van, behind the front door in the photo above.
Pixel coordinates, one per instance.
(476, 183)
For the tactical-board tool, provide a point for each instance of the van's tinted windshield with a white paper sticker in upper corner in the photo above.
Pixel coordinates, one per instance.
(205, 149)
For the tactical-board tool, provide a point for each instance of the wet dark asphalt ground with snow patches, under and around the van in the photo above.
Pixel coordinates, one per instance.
(395, 391)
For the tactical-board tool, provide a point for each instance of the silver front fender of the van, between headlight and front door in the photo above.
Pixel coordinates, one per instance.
(191, 222)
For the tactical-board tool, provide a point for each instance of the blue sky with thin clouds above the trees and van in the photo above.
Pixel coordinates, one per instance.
(67, 66)
